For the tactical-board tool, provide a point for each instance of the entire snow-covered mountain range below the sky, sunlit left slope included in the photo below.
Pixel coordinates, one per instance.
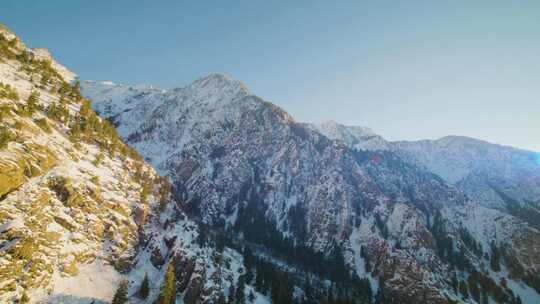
(242, 204)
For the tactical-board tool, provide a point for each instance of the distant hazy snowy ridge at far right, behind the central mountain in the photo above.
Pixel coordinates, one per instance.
(496, 176)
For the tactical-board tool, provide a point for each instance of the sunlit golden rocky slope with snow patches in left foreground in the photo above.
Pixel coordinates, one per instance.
(80, 211)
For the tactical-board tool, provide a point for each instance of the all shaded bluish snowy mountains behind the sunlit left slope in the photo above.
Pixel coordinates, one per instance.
(340, 204)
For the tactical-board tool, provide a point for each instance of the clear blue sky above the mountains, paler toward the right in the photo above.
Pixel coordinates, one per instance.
(407, 69)
